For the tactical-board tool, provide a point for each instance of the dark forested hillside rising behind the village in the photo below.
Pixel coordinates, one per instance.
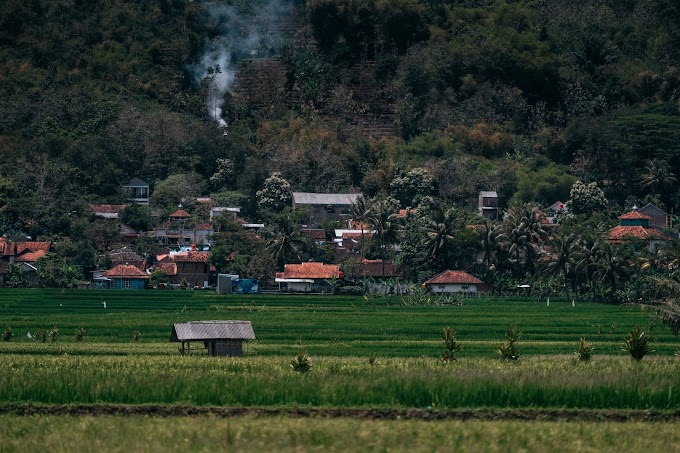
(524, 97)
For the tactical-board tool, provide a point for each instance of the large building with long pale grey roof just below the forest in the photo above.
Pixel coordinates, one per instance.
(325, 206)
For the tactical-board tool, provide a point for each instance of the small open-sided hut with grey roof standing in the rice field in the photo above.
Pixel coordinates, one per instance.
(220, 338)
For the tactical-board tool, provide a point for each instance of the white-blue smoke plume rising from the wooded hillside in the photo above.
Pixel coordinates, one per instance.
(241, 35)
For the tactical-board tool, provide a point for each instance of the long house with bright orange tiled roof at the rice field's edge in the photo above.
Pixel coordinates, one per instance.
(308, 277)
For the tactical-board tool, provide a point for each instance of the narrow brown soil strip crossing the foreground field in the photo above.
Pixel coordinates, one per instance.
(364, 414)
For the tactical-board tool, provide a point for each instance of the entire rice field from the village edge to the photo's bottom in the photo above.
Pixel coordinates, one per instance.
(372, 355)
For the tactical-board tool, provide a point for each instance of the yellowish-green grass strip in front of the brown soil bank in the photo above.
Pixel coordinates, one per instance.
(85, 434)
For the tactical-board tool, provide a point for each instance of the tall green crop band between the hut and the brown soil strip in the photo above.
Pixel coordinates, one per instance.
(539, 382)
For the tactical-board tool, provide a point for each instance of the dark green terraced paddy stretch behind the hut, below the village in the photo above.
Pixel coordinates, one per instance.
(329, 326)
